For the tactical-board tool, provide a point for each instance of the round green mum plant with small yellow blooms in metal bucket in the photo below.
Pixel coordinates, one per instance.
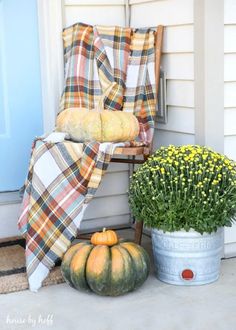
(185, 187)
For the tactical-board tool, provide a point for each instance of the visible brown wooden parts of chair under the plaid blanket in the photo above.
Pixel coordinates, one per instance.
(140, 151)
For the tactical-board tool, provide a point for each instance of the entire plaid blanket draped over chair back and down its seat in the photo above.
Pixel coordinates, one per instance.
(63, 176)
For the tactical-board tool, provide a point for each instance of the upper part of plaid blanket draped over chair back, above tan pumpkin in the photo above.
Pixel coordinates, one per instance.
(122, 58)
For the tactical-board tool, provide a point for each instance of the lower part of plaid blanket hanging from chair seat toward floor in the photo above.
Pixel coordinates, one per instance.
(63, 177)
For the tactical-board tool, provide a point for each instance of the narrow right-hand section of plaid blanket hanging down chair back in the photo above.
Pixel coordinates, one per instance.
(140, 93)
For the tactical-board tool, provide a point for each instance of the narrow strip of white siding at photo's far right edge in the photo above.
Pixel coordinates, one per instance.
(230, 90)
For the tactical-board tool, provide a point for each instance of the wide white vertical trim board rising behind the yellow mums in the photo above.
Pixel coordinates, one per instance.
(209, 73)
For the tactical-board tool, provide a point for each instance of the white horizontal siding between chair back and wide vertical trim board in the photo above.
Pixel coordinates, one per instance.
(177, 62)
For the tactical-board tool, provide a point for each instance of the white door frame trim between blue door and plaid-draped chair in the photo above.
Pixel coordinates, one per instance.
(50, 20)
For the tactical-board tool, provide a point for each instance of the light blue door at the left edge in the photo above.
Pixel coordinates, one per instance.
(20, 92)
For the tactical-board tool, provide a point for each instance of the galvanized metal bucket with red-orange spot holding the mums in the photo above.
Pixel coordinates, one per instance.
(187, 258)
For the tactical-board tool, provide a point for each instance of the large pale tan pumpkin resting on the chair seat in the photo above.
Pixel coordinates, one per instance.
(102, 126)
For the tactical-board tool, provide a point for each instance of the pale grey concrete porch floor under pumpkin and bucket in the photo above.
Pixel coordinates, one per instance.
(155, 305)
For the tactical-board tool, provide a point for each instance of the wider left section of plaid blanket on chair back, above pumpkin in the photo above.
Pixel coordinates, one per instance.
(95, 57)
